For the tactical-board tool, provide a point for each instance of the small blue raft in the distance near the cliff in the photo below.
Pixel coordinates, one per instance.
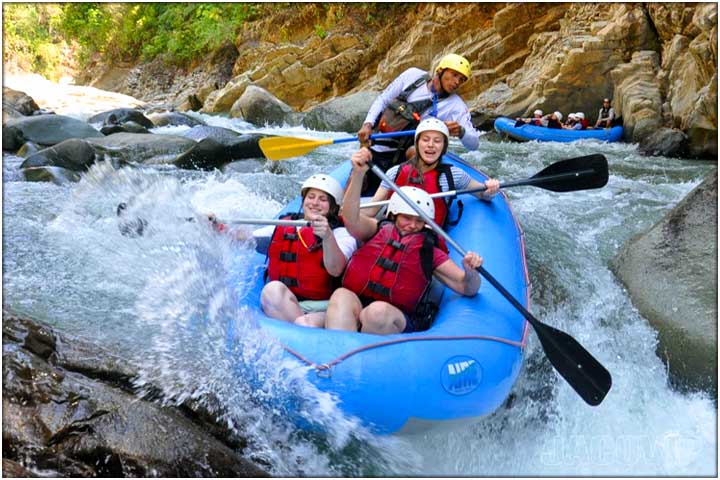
(525, 133)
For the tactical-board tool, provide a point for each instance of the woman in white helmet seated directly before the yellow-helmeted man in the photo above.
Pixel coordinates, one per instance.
(426, 170)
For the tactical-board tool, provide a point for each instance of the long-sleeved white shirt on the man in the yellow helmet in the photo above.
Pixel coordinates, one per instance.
(449, 108)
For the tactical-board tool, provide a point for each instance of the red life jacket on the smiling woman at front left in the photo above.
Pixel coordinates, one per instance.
(295, 257)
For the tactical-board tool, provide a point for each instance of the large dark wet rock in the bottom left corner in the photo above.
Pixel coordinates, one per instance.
(69, 409)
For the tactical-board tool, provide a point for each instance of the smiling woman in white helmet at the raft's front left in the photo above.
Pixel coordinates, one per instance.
(304, 263)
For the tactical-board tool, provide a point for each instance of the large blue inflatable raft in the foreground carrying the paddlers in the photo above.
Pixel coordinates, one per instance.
(464, 366)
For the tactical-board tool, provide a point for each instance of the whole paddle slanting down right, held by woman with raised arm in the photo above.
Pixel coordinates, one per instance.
(579, 368)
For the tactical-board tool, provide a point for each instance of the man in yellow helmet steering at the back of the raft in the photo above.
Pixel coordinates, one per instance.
(412, 96)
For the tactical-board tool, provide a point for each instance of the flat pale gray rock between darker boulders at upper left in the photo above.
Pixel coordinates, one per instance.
(141, 148)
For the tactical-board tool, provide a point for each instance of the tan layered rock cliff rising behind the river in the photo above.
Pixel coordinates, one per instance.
(658, 61)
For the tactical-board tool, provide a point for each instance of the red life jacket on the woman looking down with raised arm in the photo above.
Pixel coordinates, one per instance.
(392, 268)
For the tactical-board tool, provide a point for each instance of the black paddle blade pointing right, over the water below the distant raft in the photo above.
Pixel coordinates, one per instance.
(581, 173)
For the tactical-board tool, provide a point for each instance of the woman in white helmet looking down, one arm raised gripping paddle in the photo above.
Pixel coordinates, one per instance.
(386, 279)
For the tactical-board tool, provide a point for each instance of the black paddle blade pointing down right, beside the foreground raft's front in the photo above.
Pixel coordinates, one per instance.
(581, 370)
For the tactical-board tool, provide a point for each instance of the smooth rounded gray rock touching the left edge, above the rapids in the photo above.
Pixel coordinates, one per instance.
(45, 130)
